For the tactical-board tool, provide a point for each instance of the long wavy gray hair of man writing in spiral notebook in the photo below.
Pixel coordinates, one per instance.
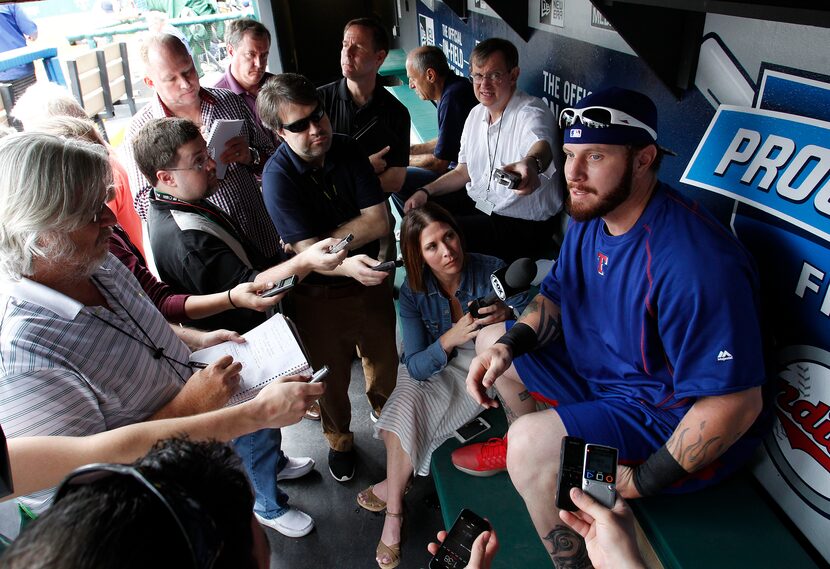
(49, 186)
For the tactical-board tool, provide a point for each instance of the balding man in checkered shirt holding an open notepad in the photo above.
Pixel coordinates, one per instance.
(170, 72)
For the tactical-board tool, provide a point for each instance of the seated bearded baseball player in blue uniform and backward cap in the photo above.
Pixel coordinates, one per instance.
(645, 336)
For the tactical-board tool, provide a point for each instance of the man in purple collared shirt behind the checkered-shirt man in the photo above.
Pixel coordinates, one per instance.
(248, 43)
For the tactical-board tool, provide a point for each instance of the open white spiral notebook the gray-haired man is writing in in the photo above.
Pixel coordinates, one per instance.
(271, 350)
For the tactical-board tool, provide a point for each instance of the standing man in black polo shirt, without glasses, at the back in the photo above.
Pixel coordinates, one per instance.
(359, 106)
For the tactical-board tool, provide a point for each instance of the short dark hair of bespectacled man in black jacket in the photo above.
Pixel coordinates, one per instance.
(157, 144)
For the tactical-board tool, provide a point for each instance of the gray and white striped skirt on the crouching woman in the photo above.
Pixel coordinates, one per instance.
(423, 414)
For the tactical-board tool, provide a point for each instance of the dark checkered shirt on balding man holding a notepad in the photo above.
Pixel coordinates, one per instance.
(239, 194)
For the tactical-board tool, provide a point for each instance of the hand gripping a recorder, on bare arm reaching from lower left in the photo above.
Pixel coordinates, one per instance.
(285, 400)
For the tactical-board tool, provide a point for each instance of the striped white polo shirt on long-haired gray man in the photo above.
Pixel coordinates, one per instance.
(65, 372)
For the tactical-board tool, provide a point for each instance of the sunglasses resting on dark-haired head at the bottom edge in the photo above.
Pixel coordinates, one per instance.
(196, 526)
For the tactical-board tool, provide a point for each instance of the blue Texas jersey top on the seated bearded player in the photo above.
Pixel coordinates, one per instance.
(663, 314)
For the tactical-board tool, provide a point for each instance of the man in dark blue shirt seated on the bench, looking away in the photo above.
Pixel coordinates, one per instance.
(430, 76)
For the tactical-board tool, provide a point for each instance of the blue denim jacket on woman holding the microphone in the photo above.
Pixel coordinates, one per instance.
(426, 316)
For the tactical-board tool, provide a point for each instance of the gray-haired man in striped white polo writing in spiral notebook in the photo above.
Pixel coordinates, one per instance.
(82, 348)
